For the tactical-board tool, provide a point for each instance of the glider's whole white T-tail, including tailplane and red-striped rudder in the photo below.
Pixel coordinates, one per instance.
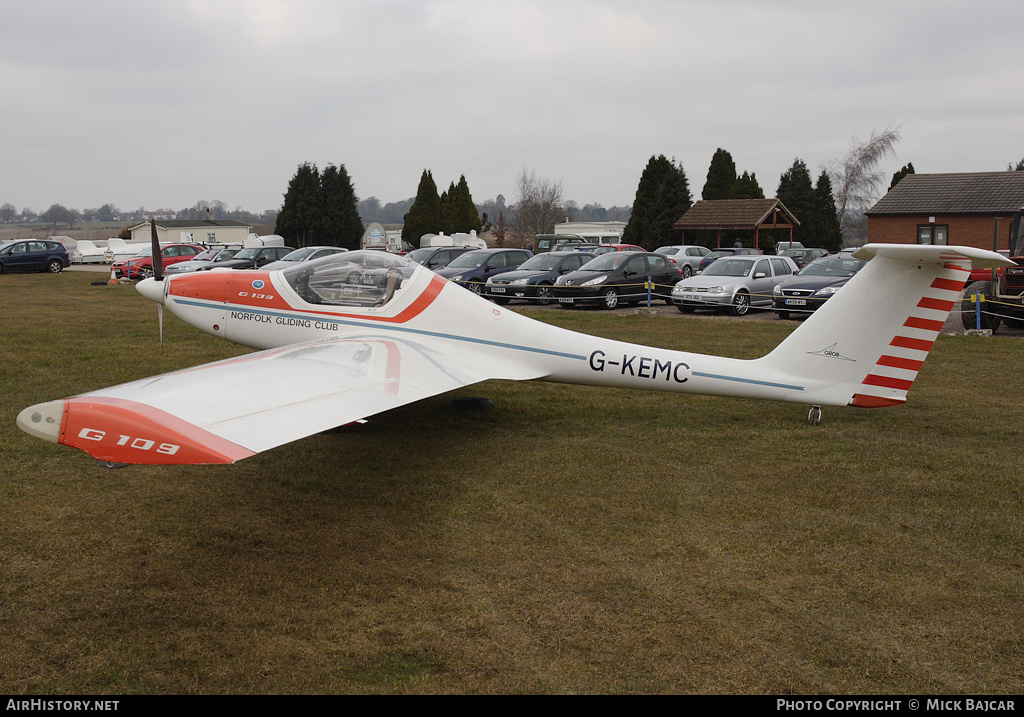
(867, 345)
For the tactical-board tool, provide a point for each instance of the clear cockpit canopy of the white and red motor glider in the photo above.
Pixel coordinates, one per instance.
(367, 279)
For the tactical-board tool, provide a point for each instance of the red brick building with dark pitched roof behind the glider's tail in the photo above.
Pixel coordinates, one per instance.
(949, 209)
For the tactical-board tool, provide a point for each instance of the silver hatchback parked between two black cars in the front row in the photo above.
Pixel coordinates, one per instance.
(734, 283)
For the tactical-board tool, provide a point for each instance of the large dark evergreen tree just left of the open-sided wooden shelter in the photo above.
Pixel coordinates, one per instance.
(663, 196)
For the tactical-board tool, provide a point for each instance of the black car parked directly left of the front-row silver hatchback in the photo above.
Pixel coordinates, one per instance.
(618, 277)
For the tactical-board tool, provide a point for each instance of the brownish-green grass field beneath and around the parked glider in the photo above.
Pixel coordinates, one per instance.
(569, 540)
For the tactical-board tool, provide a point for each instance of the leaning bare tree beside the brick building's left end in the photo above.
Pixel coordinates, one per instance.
(857, 182)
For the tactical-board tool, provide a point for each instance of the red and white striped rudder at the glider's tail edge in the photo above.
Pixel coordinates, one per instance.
(890, 379)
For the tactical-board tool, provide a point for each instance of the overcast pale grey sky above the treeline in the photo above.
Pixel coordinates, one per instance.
(165, 103)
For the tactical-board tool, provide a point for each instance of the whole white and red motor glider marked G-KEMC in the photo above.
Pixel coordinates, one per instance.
(366, 332)
